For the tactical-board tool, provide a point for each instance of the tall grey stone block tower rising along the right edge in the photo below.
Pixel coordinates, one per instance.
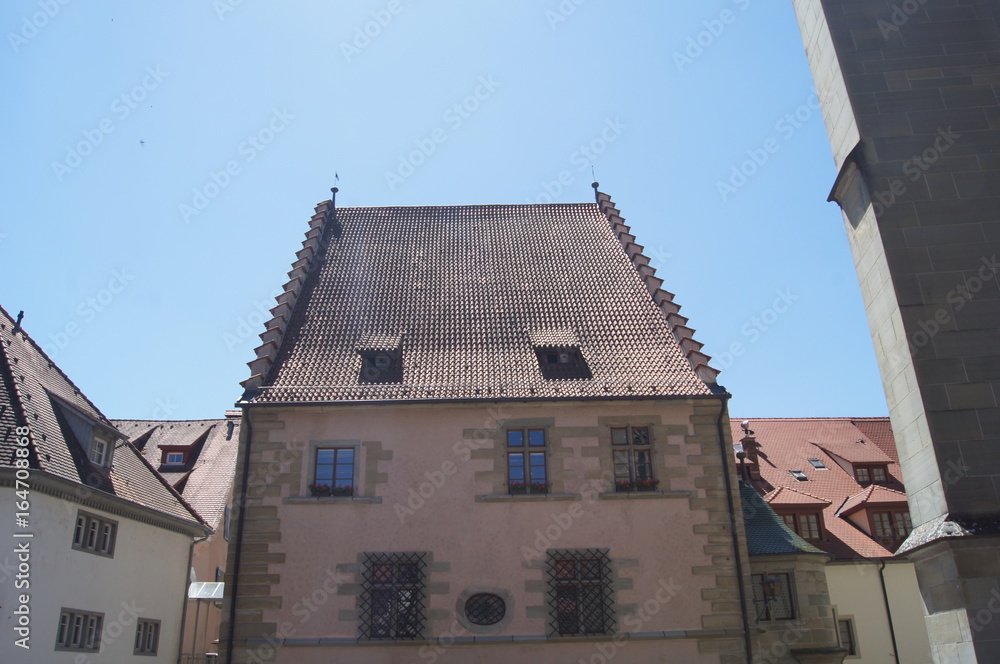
(908, 91)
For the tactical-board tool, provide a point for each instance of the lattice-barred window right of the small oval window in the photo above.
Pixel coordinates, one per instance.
(580, 596)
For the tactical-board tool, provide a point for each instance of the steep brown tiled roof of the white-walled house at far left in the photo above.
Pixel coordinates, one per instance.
(36, 393)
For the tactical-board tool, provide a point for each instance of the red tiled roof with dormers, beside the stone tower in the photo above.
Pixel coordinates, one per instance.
(788, 444)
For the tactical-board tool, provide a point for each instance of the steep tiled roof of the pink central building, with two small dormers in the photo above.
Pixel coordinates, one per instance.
(470, 292)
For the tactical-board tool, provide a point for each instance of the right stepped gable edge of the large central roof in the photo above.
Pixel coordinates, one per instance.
(683, 335)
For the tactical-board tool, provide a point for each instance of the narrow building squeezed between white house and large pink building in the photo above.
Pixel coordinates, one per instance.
(198, 459)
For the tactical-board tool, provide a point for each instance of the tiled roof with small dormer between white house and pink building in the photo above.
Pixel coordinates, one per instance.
(208, 477)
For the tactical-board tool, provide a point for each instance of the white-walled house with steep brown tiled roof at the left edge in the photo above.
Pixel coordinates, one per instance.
(97, 545)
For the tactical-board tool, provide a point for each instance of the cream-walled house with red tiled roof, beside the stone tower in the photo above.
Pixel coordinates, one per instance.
(836, 483)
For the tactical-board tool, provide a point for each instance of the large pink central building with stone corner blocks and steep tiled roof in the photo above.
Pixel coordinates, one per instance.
(485, 433)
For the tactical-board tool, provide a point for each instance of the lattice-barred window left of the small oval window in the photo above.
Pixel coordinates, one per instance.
(392, 596)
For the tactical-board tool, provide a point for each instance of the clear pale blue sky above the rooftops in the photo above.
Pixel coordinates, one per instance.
(161, 161)
